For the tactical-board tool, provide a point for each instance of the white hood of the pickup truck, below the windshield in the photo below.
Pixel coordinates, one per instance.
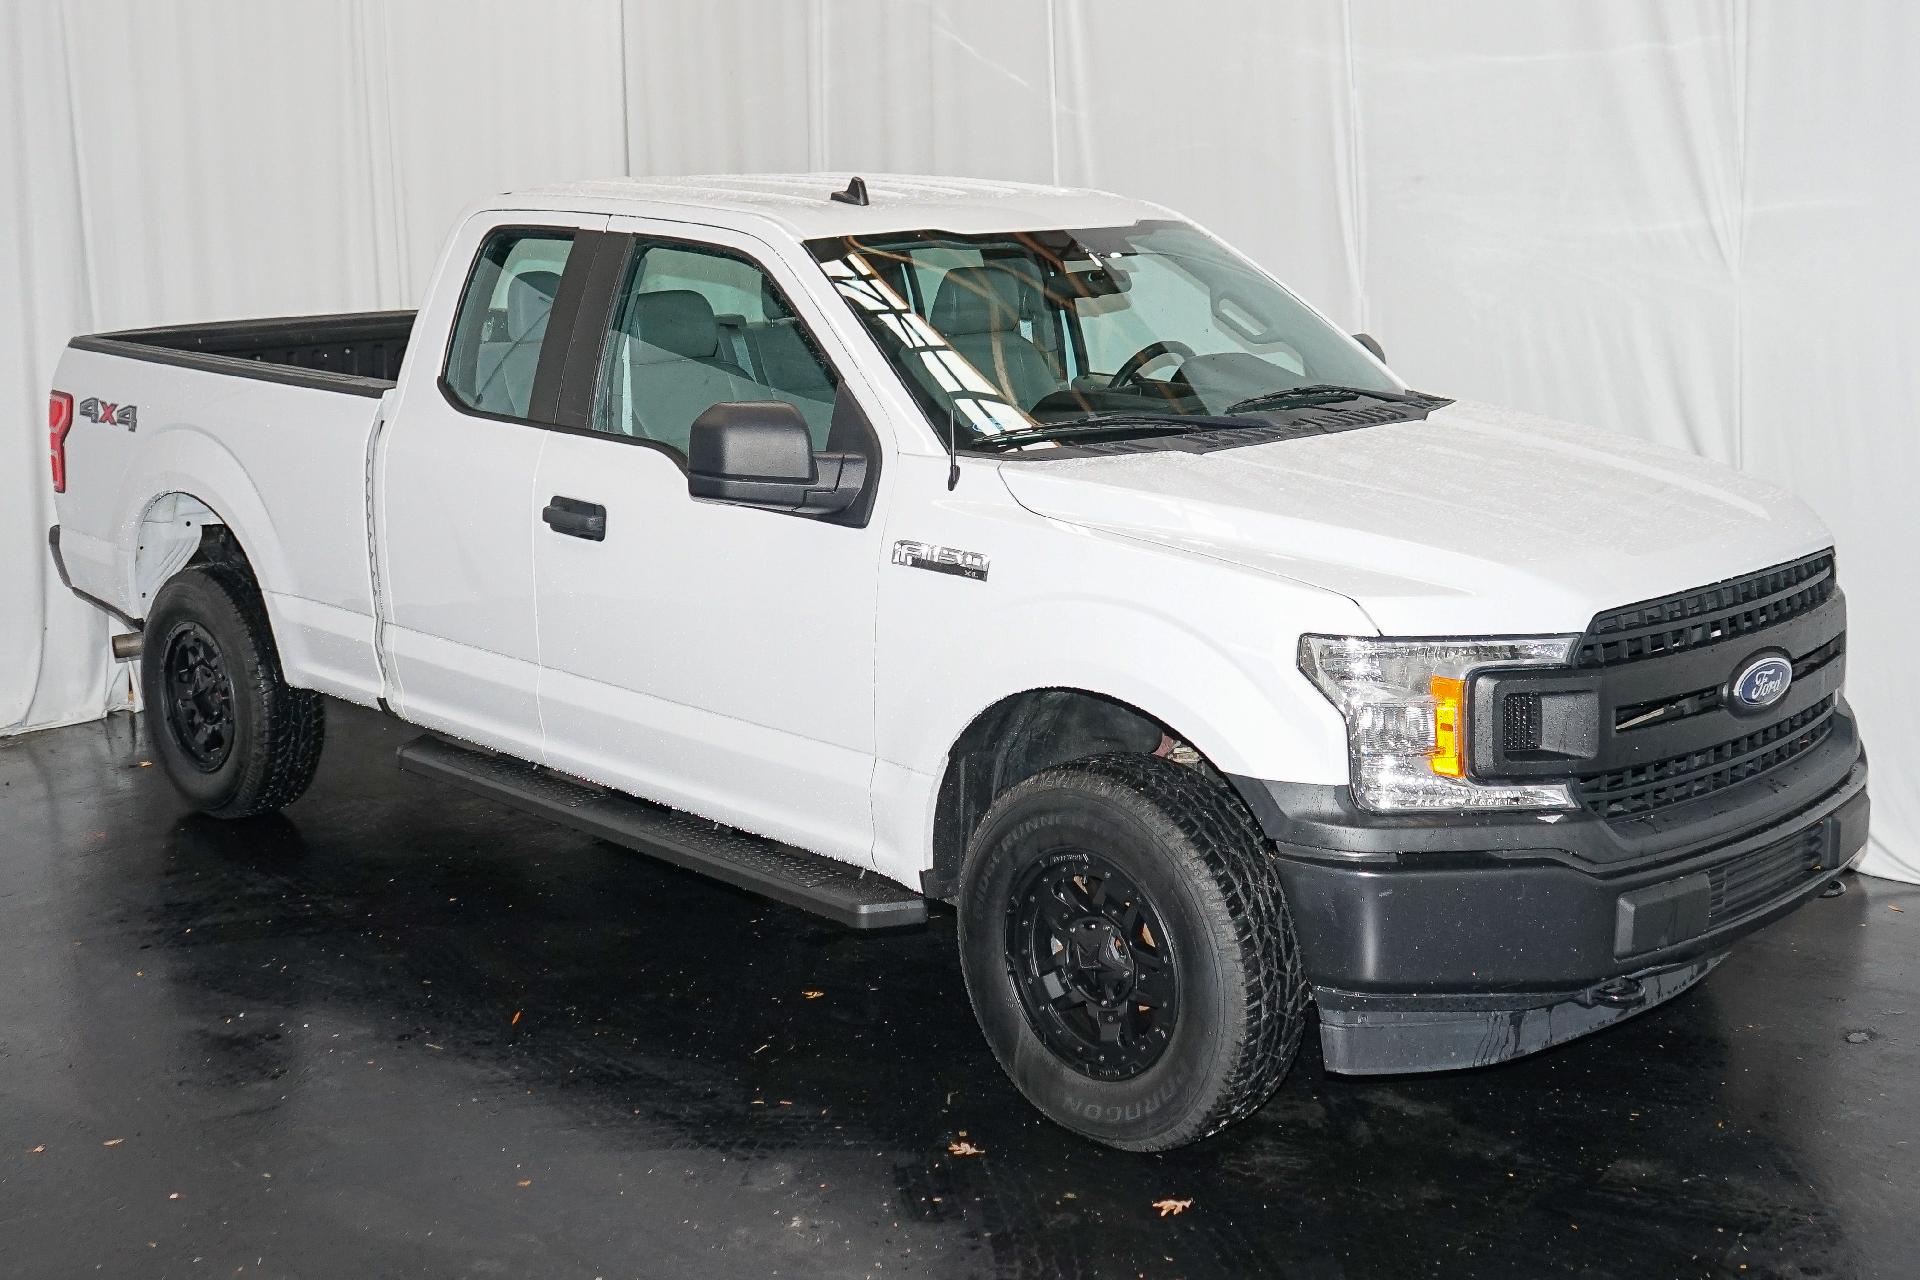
(1477, 521)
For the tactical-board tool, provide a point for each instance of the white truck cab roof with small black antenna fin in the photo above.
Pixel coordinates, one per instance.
(804, 204)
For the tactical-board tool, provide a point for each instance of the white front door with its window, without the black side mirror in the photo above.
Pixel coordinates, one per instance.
(711, 657)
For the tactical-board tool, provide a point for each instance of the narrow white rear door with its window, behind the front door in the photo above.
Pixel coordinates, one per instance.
(456, 481)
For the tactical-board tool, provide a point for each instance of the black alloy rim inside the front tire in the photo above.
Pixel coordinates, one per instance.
(1093, 964)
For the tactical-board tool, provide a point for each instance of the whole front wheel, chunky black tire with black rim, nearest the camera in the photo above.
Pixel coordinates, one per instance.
(1201, 936)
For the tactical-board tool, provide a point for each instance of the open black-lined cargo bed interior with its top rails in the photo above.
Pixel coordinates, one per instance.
(354, 352)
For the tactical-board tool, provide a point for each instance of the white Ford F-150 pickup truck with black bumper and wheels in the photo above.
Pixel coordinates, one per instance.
(907, 540)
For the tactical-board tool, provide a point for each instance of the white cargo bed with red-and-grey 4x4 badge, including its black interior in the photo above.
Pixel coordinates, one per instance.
(256, 425)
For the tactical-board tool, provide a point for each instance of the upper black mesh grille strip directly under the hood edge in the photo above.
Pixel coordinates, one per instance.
(1710, 615)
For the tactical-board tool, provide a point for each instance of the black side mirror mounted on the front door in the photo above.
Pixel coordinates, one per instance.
(759, 454)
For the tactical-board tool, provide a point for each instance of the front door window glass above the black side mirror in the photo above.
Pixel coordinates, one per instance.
(698, 327)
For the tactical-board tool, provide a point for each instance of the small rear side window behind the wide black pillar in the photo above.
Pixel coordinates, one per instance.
(504, 320)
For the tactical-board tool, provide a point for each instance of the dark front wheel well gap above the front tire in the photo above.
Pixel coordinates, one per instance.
(1015, 740)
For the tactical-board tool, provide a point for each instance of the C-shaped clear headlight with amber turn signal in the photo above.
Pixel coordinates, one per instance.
(1406, 717)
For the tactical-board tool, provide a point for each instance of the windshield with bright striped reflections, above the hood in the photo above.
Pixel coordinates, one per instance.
(1015, 331)
